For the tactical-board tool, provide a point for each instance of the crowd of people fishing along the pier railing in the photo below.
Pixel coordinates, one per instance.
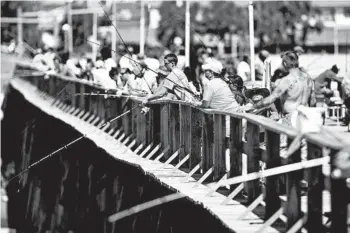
(210, 85)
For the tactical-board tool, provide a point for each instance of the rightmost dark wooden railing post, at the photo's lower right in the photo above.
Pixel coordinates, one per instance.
(339, 200)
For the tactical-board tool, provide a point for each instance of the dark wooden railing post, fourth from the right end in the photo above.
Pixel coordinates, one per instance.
(273, 160)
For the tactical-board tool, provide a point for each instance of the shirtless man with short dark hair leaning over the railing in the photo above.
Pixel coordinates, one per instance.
(295, 89)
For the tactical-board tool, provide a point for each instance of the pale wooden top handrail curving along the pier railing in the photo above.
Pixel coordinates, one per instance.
(315, 138)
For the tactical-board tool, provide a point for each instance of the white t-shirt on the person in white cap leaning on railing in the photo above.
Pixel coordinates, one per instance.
(219, 95)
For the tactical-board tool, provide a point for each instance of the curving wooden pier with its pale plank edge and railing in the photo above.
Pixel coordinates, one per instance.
(184, 148)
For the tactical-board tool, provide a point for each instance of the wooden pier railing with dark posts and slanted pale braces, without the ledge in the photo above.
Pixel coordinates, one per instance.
(194, 140)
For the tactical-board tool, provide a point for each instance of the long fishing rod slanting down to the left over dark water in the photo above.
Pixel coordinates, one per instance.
(71, 143)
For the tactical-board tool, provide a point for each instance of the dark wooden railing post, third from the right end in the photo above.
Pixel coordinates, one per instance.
(293, 208)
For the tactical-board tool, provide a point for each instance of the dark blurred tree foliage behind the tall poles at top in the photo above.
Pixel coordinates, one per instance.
(275, 22)
